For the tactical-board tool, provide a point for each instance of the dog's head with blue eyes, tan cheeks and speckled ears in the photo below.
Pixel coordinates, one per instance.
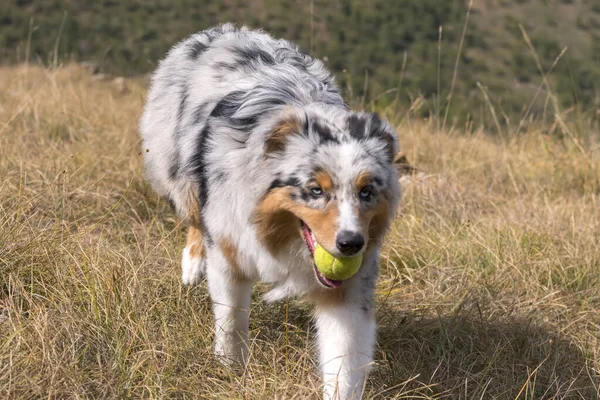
(335, 182)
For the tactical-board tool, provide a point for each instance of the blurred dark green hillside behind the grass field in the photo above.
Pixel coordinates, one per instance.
(373, 46)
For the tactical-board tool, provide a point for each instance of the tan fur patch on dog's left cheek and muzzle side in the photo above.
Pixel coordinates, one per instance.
(277, 218)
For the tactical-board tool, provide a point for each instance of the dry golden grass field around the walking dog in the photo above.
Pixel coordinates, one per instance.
(489, 286)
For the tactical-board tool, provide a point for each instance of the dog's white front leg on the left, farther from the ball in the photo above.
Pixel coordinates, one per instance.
(230, 294)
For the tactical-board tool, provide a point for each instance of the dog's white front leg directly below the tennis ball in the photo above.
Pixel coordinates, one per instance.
(346, 336)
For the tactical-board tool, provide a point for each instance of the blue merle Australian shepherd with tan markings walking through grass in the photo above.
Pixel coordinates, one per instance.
(252, 144)
